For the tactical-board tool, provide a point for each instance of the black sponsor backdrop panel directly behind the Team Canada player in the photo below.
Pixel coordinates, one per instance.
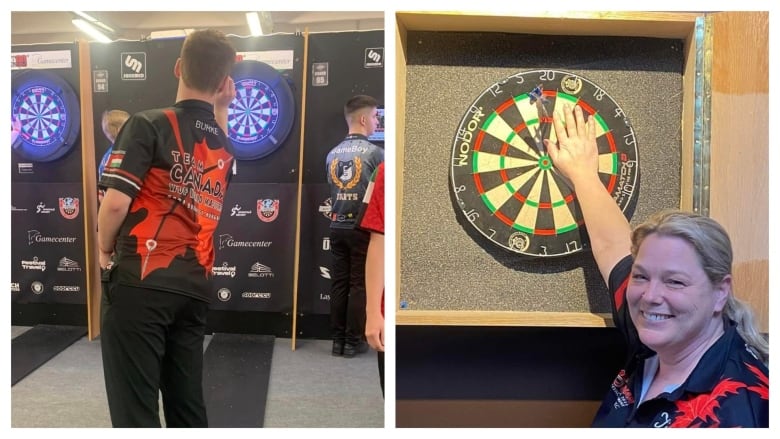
(138, 75)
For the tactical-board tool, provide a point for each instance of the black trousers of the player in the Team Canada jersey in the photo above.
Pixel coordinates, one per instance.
(152, 343)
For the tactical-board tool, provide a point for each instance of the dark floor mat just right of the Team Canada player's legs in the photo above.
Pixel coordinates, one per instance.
(236, 370)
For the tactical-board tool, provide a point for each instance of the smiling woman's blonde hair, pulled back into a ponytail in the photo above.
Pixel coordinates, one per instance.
(713, 247)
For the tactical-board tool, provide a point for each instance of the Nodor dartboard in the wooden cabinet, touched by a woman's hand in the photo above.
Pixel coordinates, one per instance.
(503, 181)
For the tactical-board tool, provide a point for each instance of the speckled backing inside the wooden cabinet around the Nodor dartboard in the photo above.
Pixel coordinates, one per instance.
(444, 267)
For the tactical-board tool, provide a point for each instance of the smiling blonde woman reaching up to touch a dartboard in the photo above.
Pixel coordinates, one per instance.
(695, 358)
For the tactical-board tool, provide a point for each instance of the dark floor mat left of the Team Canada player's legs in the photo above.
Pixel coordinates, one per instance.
(38, 345)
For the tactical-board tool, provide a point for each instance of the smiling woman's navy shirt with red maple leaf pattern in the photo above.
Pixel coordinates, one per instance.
(728, 388)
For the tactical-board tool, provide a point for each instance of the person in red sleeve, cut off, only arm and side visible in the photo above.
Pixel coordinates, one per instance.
(373, 220)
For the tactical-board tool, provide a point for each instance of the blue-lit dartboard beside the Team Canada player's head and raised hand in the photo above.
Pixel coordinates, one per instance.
(261, 115)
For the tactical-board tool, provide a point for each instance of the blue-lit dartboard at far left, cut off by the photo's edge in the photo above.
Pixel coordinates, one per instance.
(45, 113)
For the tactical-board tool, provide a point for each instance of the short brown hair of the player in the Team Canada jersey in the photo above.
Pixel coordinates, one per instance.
(207, 56)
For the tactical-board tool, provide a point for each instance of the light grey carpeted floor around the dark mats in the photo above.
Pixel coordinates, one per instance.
(307, 388)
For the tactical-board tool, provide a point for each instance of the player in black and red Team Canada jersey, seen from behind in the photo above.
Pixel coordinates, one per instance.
(166, 179)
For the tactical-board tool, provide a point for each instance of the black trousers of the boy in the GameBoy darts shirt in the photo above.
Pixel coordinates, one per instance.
(348, 290)
